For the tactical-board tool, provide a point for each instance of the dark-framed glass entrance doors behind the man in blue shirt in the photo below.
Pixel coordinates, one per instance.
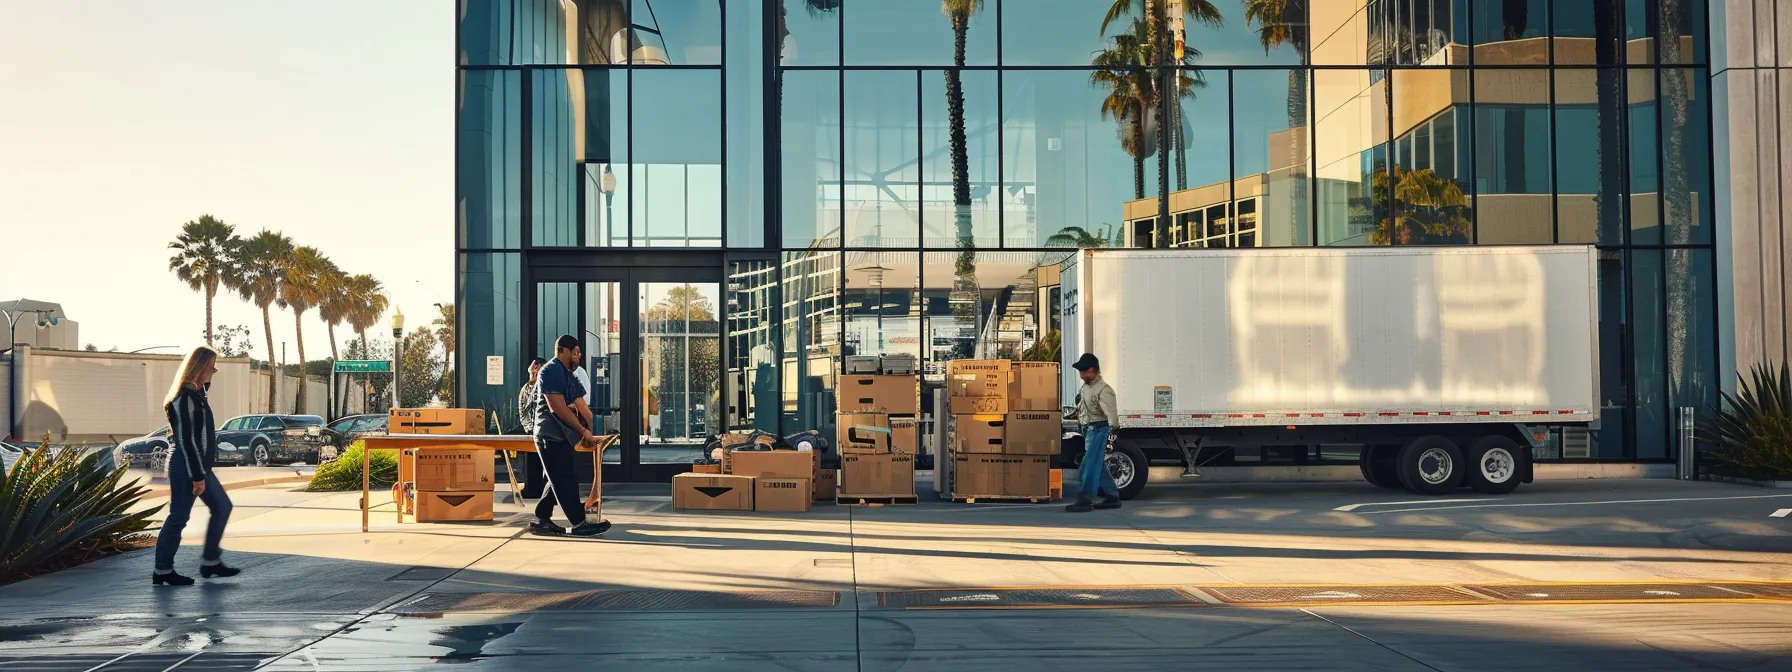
(653, 359)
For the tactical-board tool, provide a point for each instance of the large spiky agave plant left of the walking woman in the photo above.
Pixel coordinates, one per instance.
(56, 508)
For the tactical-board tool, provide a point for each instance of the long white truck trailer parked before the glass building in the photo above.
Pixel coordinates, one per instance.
(1431, 366)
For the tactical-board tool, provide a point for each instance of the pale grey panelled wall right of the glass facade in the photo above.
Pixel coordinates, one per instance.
(1752, 98)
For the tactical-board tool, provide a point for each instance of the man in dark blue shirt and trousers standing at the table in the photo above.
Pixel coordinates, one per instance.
(558, 427)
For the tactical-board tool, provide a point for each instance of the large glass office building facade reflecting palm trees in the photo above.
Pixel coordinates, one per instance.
(727, 198)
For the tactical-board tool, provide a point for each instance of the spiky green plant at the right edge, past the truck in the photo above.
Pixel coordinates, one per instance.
(1752, 433)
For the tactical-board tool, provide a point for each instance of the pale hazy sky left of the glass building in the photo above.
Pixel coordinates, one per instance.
(329, 121)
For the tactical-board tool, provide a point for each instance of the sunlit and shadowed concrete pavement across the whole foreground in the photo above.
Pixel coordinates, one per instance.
(827, 590)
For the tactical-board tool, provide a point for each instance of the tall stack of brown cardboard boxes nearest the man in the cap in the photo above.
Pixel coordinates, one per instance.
(1004, 429)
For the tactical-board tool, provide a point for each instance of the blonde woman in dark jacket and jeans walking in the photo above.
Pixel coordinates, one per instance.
(193, 454)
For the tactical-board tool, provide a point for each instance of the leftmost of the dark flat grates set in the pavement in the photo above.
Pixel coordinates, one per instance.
(1038, 598)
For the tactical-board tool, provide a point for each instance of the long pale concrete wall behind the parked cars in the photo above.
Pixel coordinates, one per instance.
(107, 397)
